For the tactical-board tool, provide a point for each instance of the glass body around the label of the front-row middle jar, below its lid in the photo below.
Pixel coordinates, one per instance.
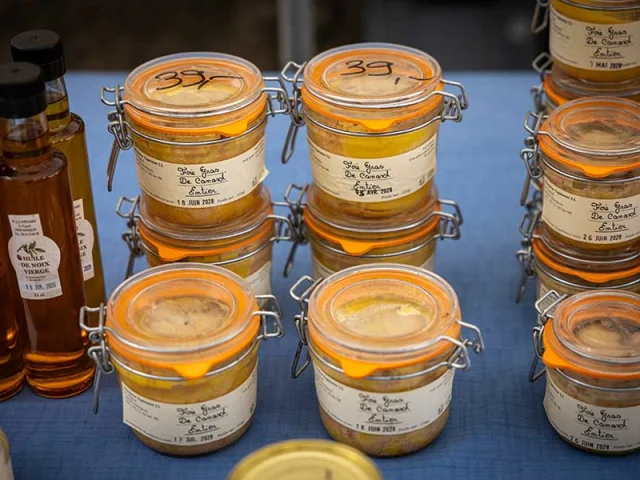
(384, 445)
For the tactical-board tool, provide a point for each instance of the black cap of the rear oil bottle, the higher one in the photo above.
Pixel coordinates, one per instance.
(42, 48)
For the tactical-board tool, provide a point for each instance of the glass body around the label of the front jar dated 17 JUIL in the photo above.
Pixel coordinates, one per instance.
(189, 391)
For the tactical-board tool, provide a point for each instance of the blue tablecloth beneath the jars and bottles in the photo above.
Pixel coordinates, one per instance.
(497, 427)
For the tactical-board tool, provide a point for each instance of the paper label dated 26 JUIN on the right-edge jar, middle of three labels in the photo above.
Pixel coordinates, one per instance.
(591, 220)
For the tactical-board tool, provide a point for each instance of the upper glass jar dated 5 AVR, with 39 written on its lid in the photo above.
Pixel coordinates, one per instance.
(373, 112)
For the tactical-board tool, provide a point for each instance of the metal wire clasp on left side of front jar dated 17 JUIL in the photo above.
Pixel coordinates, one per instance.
(99, 352)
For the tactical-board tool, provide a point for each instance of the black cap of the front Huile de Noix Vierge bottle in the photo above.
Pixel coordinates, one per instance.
(21, 90)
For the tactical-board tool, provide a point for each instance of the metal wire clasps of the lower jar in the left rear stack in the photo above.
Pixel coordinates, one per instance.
(283, 231)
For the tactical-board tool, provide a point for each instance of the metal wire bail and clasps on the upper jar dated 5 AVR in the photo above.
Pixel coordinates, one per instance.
(293, 74)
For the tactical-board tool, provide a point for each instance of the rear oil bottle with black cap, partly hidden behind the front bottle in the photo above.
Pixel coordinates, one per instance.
(44, 48)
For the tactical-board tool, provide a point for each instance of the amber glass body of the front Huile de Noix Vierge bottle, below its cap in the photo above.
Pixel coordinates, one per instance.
(36, 209)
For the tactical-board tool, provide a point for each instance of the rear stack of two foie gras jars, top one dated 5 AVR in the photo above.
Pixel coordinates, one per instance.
(373, 113)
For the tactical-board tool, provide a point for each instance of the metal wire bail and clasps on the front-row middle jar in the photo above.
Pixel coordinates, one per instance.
(459, 360)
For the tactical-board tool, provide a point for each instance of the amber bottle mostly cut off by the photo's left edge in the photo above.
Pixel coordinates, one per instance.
(11, 319)
